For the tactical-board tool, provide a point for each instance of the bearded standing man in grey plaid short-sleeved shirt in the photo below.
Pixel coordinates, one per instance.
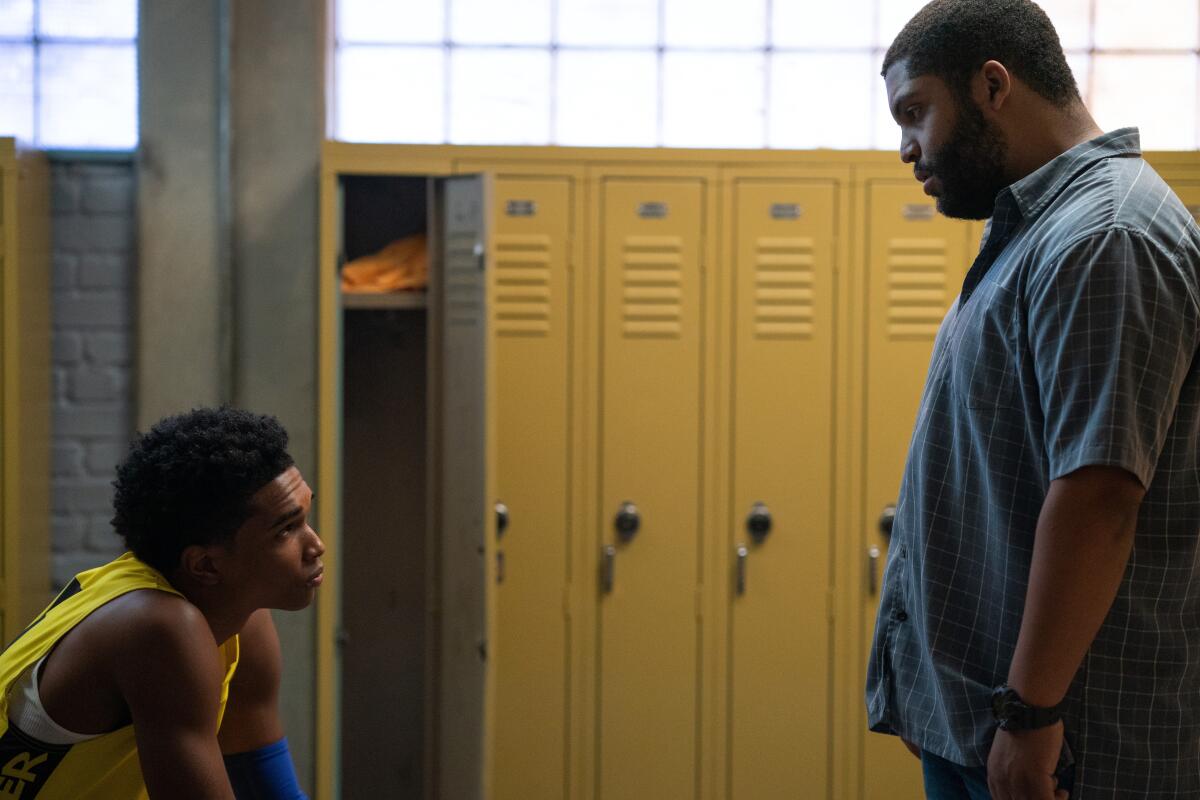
(1040, 624)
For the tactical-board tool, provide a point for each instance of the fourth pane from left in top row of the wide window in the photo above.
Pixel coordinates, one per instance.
(715, 23)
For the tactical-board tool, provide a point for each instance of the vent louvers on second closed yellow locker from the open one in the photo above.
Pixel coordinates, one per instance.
(652, 292)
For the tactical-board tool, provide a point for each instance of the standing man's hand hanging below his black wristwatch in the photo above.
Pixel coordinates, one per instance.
(1023, 763)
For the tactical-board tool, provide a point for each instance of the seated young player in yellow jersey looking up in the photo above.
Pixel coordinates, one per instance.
(160, 672)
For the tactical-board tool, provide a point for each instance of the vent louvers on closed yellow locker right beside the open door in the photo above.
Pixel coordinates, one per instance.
(523, 286)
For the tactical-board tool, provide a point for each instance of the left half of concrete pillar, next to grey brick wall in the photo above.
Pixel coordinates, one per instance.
(184, 334)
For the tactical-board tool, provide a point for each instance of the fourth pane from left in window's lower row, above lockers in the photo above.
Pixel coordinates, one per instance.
(713, 100)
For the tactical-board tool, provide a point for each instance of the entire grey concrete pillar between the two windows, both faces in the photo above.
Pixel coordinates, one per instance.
(232, 122)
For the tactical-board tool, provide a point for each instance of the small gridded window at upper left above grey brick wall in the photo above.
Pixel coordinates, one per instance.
(69, 74)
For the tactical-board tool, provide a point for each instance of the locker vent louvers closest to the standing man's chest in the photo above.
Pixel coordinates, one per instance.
(917, 291)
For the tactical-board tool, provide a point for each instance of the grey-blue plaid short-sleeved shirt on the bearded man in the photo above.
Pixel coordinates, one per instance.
(1073, 344)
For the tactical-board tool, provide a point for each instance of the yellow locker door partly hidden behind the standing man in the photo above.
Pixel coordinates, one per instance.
(916, 261)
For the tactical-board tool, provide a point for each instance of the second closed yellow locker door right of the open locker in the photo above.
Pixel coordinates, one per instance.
(652, 459)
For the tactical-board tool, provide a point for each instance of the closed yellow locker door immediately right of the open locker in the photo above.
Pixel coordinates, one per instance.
(533, 225)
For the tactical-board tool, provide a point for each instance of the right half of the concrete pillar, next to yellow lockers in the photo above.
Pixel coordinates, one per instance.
(278, 115)
